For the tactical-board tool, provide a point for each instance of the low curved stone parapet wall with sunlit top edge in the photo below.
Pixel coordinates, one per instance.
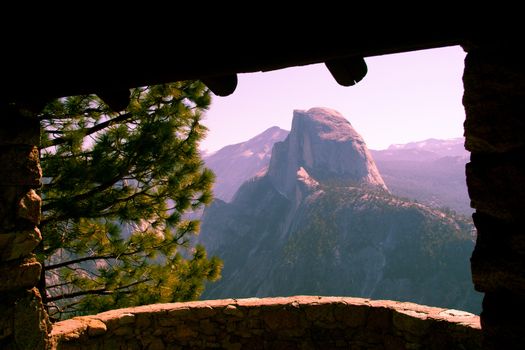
(273, 323)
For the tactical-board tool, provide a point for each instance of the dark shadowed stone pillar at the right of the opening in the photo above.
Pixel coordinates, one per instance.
(494, 100)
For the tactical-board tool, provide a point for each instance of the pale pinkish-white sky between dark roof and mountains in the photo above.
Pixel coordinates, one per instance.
(404, 97)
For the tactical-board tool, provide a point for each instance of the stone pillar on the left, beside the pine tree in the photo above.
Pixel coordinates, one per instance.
(23, 322)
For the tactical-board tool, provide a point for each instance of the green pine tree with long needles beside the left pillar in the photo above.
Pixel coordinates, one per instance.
(116, 186)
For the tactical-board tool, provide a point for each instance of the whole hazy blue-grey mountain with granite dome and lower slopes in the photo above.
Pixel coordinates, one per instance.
(321, 221)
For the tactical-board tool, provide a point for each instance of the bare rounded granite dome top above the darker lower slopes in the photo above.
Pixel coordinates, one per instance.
(327, 148)
